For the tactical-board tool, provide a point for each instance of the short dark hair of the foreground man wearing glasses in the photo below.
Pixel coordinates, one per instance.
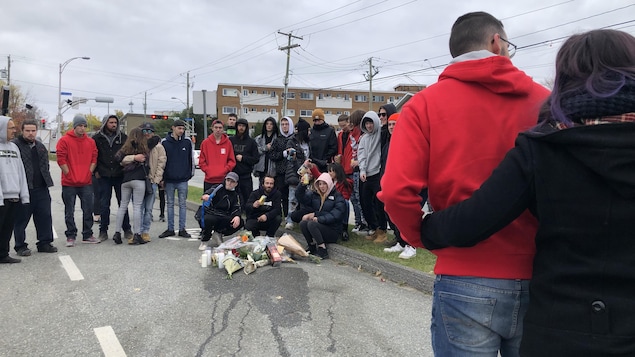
(473, 31)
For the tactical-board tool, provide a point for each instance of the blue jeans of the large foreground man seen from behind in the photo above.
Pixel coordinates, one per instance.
(478, 316)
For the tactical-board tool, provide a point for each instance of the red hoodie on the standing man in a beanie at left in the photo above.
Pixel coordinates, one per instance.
(78, 153)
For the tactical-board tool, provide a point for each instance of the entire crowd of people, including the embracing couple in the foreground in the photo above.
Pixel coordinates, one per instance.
(532, 190)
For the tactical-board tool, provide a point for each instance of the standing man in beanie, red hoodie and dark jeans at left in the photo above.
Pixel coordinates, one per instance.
(77, 157)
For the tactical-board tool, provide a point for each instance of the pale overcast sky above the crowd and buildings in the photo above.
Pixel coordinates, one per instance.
(139, 47)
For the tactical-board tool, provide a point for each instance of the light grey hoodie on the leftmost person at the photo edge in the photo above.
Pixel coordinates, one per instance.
(12, 177)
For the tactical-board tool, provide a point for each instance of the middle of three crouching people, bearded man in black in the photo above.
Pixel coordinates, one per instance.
(264, 209)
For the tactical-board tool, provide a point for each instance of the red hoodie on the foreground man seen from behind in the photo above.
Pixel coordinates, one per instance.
(450, 137)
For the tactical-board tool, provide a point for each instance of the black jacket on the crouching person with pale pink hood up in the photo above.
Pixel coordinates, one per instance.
(331, 212)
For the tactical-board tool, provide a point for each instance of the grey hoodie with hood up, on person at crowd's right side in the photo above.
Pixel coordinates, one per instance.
(369, 148)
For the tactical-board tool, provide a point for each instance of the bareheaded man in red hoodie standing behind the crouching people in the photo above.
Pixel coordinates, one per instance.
(217, 156)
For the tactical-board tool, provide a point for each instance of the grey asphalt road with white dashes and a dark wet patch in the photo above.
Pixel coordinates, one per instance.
(156, 300)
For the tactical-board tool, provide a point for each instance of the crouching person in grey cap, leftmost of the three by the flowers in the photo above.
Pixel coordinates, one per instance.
(223, 213)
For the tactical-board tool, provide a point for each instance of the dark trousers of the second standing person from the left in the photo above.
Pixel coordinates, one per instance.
(40, 209)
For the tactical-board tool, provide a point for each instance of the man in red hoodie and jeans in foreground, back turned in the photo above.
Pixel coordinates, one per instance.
(450, 138)
